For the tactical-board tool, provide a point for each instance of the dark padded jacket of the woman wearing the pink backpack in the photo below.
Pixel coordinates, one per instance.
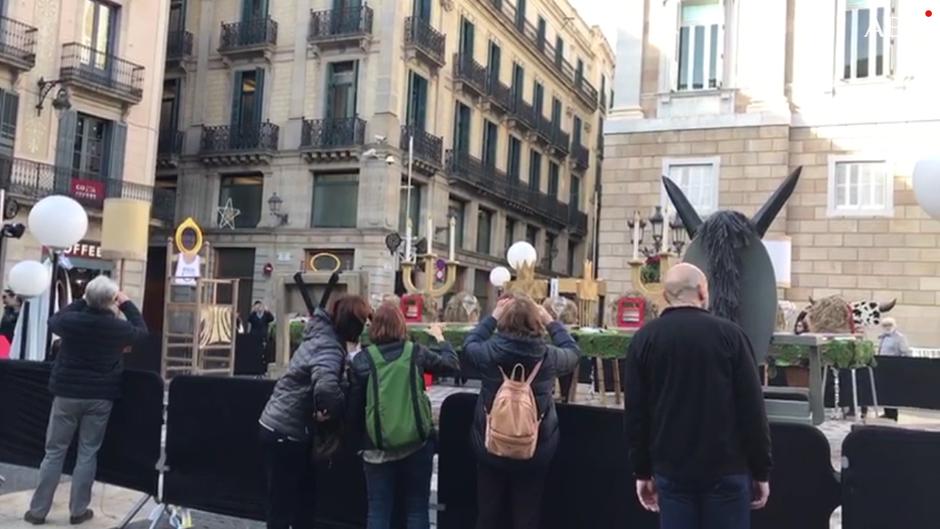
(487, 353)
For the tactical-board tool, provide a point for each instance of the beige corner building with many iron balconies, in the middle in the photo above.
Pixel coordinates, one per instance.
(298, 115)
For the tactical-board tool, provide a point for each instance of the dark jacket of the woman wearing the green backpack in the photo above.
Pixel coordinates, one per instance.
(440, 360)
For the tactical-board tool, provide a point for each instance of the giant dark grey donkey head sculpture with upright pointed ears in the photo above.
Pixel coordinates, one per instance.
(728, 248)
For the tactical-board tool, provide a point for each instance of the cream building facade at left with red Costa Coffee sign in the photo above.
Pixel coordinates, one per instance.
(79, 89)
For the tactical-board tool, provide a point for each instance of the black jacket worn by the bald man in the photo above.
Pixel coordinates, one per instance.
(695, 408)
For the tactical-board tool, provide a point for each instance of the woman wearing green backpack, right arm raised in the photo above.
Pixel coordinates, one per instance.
(388, 388)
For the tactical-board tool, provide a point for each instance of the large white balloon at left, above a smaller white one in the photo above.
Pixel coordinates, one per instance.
(58, 222)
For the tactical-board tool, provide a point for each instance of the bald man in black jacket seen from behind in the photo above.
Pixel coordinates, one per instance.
(698, 430)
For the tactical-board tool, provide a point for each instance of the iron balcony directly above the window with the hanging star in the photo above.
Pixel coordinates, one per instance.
(248, 144)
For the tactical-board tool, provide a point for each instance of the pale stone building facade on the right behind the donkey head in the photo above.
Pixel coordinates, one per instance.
(728, 96)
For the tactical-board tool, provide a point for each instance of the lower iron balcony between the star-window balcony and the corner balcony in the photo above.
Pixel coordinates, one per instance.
(332, 139)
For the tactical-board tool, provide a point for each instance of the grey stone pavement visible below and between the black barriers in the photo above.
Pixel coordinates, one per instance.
(112, 502)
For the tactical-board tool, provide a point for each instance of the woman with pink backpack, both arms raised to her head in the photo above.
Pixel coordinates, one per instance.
(519, 346)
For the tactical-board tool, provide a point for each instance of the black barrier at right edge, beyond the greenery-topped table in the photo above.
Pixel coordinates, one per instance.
(901, 382)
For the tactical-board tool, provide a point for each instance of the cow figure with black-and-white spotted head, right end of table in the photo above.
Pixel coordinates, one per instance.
(836, 316)
